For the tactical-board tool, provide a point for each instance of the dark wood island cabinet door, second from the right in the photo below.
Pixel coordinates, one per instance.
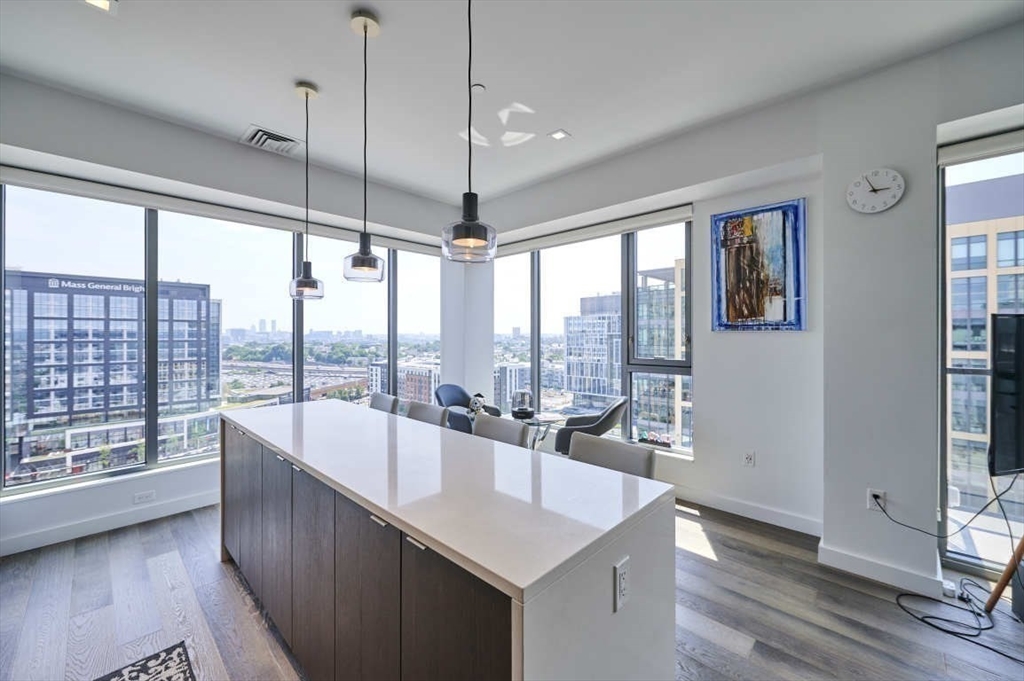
(368, 563)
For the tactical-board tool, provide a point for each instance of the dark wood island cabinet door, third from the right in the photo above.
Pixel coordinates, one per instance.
(313, 576)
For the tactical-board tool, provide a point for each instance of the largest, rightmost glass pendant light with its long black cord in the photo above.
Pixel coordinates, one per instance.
(470, 240)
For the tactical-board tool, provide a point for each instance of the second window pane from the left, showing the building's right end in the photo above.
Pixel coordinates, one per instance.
(225, 326)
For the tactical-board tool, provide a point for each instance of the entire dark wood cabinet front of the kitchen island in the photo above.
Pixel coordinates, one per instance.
(352, 595)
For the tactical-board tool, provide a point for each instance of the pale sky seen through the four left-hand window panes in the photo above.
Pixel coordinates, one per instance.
(247, 268)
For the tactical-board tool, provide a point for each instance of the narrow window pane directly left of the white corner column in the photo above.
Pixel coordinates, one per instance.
(419, 304)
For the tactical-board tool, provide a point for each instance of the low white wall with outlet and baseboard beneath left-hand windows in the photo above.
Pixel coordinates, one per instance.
(49, 517)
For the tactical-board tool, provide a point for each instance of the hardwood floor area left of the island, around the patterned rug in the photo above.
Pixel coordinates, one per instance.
(83, 609)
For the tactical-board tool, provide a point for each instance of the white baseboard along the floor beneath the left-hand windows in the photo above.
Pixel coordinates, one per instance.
(123, 519)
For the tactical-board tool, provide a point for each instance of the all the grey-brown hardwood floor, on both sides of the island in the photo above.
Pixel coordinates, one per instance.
(752, 603)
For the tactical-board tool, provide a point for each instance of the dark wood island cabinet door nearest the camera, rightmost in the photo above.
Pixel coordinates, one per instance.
(454, 626)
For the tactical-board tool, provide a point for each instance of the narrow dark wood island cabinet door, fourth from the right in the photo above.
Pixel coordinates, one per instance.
(277, 573)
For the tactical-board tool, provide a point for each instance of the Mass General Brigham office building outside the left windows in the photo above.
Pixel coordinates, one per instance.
(76, 353)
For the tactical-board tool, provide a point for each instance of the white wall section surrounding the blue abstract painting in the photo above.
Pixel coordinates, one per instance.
(757, 392)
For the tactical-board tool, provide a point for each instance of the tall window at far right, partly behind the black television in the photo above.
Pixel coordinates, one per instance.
(985, 274)
